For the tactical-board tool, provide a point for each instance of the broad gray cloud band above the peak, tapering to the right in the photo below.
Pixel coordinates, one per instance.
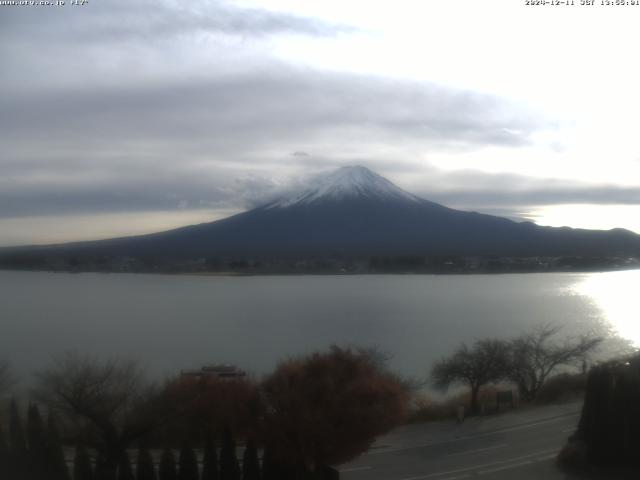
(255, 106)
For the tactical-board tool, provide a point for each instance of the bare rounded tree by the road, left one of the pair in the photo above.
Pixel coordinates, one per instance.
(484, 362)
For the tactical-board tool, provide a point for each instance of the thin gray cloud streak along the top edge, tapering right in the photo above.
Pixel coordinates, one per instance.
(154, 20)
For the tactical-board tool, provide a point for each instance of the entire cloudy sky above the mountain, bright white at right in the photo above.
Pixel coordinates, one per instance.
(122, 117)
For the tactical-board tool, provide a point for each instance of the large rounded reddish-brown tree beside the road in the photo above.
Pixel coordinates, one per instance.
(328, 408)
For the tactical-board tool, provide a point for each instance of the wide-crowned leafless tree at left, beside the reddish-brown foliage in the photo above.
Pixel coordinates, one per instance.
(111, 396)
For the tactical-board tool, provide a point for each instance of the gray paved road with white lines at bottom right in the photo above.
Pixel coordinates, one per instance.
(521, 445)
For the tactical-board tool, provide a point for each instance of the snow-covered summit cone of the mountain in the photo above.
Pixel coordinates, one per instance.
(345, 182)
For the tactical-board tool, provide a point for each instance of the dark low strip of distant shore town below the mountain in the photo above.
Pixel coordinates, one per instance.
(319, 265)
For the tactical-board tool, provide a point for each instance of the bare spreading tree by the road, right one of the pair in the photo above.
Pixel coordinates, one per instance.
(534, 356)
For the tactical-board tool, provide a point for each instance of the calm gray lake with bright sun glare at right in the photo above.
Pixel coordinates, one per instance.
(177, 322)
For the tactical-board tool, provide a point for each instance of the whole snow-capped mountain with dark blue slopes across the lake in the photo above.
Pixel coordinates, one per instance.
(354, 212)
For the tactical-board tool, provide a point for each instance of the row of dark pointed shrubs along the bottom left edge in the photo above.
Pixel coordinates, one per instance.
(36, 453)
